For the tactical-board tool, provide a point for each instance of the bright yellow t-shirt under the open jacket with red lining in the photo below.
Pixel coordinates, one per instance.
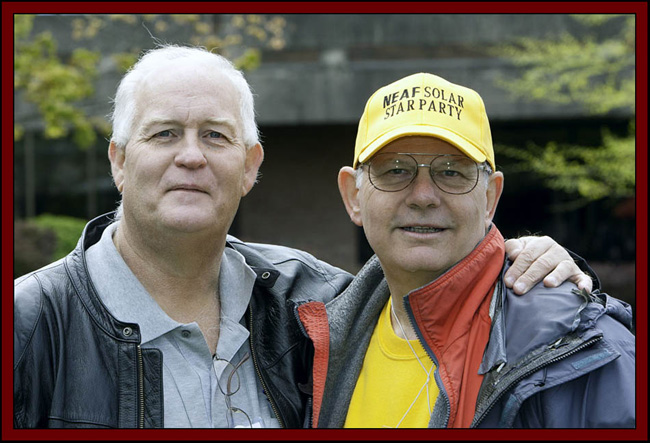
(390, 380)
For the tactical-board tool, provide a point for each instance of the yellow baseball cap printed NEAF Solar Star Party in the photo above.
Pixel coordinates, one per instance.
(425, 104)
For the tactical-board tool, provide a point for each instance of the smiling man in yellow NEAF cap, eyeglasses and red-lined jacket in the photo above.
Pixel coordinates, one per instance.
(428, 334)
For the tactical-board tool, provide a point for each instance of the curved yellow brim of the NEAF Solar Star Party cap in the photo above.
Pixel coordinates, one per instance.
(450, 137)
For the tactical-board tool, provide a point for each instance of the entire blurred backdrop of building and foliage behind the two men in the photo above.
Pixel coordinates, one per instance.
(559, 90)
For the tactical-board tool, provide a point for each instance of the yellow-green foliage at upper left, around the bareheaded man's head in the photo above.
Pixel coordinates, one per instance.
(58, 86)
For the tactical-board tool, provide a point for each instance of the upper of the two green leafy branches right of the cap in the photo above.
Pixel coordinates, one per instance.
(597, 72)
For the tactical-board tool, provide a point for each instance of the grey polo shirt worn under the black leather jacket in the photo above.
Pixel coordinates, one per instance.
(191, 375)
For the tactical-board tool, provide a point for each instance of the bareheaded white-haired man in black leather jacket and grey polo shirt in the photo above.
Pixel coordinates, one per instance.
(158, 318)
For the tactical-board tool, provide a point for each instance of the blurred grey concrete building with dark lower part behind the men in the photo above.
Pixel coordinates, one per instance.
(310, 96)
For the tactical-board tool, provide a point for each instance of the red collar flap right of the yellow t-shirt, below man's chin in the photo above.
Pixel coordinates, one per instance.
(453, 325)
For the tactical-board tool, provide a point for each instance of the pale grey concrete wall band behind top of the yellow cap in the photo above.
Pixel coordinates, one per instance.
(333, 63)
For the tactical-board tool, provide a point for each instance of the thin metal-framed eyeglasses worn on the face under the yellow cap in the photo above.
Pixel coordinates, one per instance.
(453, 174)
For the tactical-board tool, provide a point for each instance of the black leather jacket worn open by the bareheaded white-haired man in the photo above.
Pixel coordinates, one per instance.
(76, 366)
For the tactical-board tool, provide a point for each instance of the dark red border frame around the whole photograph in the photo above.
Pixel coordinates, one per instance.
(638, 8)
